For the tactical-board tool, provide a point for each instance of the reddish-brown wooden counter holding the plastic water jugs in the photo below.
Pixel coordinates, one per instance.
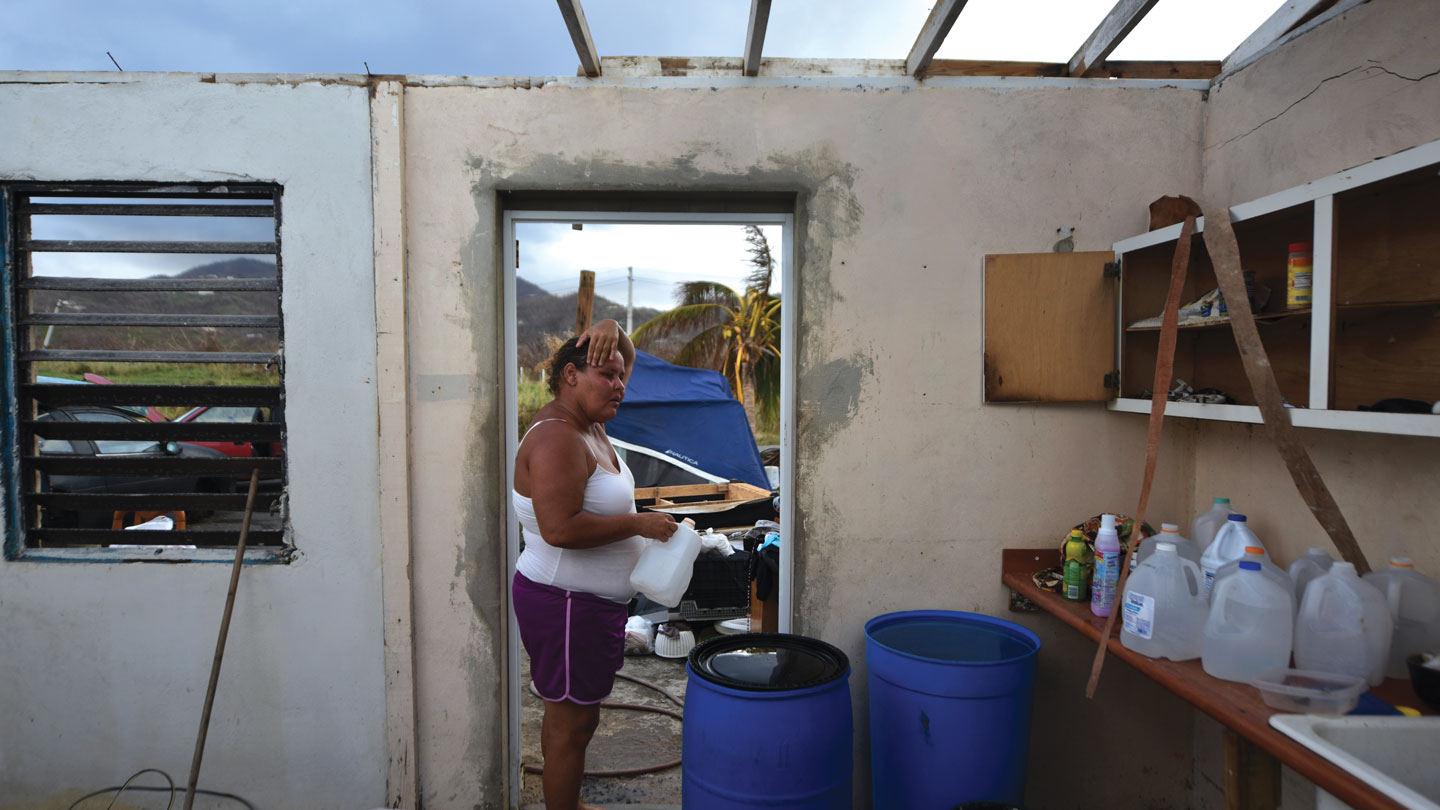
(1235, 706)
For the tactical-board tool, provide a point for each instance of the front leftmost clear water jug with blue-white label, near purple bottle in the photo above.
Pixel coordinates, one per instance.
(1164, 607)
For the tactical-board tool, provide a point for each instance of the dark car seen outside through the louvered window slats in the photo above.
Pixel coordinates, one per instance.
(119, 485)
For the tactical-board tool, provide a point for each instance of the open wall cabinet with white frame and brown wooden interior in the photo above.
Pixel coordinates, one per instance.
(1372, 332)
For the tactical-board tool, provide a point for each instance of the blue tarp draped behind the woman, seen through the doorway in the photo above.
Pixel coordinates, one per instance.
(688, 417)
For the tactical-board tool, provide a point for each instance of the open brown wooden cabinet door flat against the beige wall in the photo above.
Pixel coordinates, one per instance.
(1049, 328)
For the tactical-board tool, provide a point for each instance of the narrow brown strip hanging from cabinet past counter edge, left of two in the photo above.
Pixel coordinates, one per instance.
(1164, 367)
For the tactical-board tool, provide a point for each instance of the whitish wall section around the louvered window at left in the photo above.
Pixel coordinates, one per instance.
(106, 667)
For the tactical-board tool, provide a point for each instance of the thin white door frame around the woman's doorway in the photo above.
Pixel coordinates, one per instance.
(788, 315)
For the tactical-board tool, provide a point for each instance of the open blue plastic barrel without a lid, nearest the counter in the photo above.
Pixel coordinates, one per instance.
(950, 708)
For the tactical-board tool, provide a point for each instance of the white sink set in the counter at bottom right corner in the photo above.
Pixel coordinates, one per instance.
(1399, 757)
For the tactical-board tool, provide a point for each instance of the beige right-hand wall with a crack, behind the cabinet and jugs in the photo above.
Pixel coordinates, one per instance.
(1364, 86)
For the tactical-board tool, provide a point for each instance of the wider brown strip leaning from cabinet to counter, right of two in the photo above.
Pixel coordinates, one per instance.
(1225, 256)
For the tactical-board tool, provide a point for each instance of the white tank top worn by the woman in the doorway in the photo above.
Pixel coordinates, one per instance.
(604, 570)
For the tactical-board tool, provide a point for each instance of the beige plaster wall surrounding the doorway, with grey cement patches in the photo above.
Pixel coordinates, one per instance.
(908, 486)
